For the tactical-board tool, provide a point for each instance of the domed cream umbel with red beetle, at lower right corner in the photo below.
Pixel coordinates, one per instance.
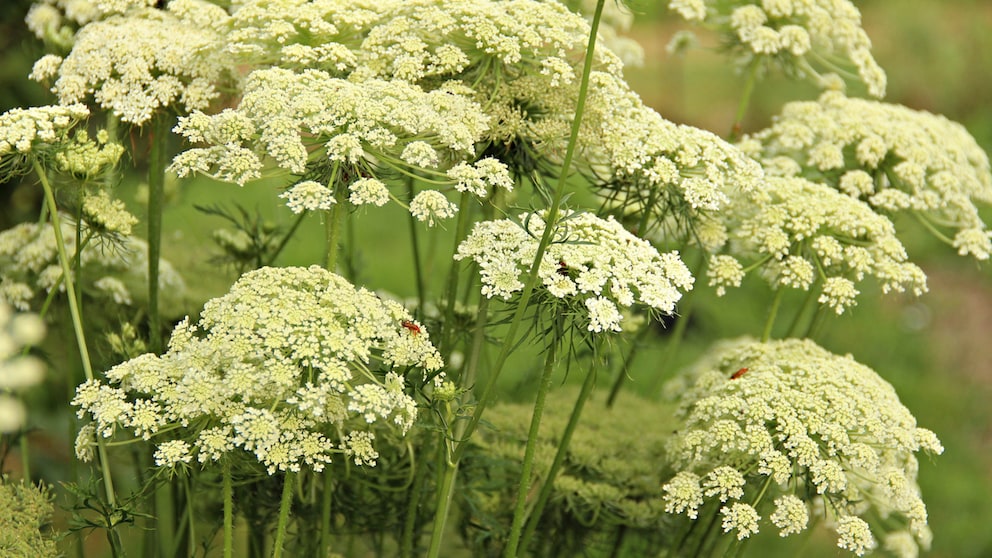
(797, 425)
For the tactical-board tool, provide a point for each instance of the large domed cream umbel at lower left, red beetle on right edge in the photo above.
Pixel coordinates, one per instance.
(293, 366)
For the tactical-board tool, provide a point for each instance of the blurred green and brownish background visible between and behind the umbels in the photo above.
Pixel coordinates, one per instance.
(935, 349)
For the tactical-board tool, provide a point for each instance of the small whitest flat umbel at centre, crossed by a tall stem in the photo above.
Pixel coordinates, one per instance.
(592, 261)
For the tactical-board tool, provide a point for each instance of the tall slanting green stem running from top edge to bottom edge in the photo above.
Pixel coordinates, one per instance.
(509, 340)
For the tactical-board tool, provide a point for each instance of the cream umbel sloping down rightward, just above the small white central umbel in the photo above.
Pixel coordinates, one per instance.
(641, 162)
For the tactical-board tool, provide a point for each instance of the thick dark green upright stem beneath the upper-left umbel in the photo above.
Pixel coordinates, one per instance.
(156, 198)
